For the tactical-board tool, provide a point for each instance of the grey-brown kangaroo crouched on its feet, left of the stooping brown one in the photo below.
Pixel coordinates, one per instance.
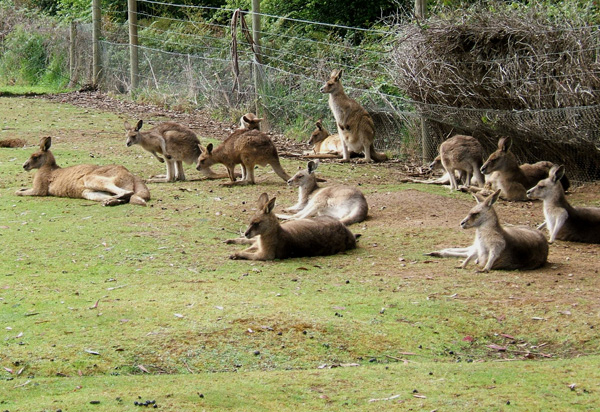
(175, 142)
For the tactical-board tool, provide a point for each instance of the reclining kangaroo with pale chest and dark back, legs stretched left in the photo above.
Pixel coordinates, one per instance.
(498, 247)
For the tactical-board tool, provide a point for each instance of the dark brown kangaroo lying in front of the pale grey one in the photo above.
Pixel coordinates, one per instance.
(321, 236)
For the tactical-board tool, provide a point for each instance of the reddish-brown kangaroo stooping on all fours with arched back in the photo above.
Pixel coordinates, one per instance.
(245, 147)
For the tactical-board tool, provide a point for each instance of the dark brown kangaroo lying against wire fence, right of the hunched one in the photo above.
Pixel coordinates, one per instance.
(514, 180)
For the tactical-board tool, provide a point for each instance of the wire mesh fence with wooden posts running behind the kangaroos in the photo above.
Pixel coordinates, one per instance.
(213, 63)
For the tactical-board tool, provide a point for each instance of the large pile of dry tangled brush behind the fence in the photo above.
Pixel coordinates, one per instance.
(521, 74)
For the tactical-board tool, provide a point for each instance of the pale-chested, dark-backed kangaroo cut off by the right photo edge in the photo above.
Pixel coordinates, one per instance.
(565, 222)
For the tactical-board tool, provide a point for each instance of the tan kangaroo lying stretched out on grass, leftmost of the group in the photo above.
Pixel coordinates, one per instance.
(112, 185)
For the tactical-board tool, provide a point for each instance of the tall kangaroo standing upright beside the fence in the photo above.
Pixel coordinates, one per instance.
(354, 124)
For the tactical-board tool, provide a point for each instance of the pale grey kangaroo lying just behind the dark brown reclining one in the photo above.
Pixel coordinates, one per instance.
(345, 203)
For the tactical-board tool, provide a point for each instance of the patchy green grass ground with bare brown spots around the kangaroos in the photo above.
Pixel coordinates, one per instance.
(112, 304)
